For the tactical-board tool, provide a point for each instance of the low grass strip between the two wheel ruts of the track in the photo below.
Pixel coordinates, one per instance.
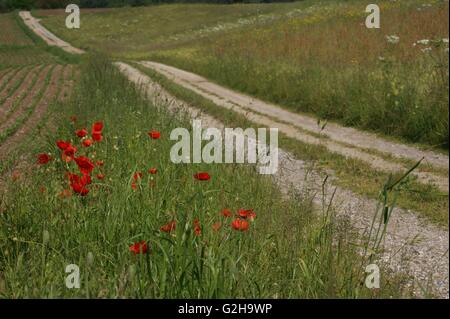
(353, 174)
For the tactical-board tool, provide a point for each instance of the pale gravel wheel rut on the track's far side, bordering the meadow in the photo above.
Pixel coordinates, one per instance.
(345, 141)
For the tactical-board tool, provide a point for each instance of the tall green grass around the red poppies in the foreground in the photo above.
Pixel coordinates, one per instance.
(289, 251)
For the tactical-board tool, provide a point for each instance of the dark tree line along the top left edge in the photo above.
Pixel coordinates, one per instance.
(8, 5)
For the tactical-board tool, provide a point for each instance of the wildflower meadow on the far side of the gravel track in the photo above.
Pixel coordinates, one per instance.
(309, 56)
